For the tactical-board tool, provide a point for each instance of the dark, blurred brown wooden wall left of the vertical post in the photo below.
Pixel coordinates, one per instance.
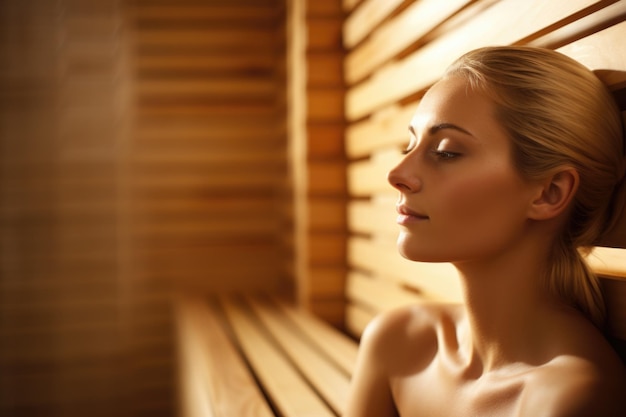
(143, 153)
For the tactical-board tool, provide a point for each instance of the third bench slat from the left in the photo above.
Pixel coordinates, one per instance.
(330, 381)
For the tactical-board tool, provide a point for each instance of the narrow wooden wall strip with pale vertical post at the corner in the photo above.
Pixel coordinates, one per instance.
(317, 156)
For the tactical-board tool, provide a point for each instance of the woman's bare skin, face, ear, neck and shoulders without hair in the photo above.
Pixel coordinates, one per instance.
(511, 349)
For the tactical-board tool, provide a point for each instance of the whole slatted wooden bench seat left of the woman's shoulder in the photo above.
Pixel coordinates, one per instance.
(259, 356)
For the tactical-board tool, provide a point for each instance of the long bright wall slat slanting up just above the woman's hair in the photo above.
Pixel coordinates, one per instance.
(422, 68)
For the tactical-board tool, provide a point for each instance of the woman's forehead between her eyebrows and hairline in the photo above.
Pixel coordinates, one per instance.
(451, 100)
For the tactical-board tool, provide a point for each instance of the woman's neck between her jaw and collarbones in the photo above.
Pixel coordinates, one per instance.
(506, 304)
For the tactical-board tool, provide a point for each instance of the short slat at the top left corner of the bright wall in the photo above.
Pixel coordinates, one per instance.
(363, 21)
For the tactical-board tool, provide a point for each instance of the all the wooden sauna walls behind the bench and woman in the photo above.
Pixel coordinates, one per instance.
(152, 149)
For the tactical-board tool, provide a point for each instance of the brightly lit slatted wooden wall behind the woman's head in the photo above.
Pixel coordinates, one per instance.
(395, 50)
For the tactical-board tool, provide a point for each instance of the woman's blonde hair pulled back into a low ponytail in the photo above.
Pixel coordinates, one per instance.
(557, 112)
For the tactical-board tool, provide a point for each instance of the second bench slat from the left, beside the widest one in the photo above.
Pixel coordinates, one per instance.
(283, 383)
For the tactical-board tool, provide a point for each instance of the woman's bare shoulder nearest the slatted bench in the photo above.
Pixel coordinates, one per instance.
(407, 338)
